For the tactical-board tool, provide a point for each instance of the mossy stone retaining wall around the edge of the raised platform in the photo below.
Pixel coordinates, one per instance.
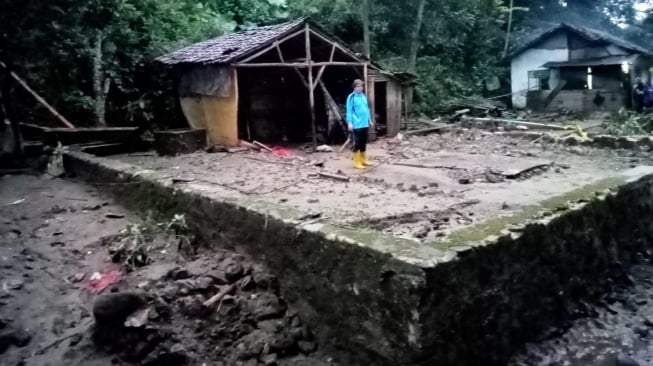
(381, 307)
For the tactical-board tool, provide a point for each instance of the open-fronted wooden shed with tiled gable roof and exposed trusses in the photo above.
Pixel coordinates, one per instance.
(285, 82)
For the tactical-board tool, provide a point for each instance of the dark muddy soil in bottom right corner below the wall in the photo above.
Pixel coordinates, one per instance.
(619, 332)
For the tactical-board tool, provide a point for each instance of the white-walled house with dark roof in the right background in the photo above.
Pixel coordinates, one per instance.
(577, 68)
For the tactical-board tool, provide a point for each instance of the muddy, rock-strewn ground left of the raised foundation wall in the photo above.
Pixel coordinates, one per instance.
(55, 234)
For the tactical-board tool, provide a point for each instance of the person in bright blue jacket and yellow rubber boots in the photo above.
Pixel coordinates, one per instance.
(359, 121)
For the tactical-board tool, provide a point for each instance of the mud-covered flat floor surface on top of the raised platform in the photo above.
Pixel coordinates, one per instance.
(420, 188)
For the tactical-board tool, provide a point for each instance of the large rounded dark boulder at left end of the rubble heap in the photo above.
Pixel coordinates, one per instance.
(116, 307)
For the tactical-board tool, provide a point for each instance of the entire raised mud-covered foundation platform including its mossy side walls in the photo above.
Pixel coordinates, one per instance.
(499, 263)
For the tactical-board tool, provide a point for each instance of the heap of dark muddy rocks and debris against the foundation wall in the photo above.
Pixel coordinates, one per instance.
(226, 314)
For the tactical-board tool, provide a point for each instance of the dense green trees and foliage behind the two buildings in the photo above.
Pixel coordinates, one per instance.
(92, 59)
